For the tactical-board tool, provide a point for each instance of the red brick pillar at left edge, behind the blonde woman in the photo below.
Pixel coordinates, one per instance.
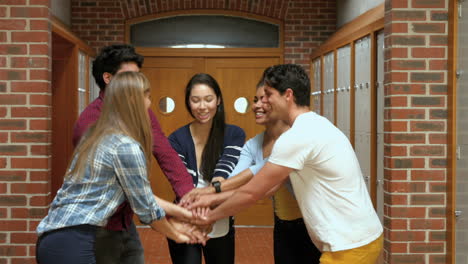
(25, 101)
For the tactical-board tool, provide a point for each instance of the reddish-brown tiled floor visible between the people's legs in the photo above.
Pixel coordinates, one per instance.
(253, 245)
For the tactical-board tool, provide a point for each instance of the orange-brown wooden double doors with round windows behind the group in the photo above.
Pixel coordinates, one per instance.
(237, 78)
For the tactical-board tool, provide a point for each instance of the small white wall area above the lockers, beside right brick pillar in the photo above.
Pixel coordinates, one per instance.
(347, 10)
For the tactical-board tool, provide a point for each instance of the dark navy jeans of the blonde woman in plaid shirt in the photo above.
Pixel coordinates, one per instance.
(71, 245)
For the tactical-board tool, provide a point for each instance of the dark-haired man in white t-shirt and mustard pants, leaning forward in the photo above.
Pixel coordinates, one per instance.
(324, 172)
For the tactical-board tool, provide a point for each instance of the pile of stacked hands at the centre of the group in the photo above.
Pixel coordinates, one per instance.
(189, 222)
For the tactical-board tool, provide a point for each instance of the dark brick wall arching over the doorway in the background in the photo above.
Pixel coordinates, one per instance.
(307, 22)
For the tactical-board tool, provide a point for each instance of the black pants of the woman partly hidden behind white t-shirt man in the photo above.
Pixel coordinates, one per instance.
(292, 243)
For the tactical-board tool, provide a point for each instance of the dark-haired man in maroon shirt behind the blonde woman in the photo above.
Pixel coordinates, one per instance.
(120, 234)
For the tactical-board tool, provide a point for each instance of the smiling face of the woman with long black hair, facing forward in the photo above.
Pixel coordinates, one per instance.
(203, 103)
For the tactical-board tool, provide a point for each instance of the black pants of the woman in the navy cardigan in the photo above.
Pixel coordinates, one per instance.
(217, 250)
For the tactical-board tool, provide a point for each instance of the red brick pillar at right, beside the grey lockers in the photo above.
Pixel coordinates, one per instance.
(416, 131)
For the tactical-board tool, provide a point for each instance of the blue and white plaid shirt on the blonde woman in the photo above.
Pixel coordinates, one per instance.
(118, 174)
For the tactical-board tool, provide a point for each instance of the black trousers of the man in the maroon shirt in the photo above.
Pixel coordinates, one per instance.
(119, 247)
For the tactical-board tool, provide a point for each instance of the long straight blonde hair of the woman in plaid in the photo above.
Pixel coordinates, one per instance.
(123, 112)
